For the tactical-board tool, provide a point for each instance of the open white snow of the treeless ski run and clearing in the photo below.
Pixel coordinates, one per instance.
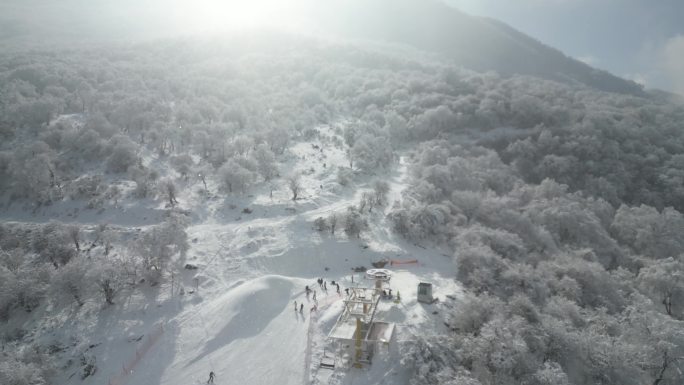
(236, 316)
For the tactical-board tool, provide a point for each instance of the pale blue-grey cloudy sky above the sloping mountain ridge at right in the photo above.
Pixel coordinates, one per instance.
(638, 39)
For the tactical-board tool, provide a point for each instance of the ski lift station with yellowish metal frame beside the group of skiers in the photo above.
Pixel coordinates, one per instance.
(358, 334)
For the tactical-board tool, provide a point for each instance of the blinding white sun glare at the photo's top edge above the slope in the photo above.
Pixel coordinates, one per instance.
(217, 15)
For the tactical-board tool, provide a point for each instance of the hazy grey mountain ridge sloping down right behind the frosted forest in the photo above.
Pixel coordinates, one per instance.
(478, 43)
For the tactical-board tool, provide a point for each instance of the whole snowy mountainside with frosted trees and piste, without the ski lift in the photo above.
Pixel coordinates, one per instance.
(549, 198)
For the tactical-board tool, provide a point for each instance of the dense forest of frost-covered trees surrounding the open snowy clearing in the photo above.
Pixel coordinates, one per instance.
(561, 205)
